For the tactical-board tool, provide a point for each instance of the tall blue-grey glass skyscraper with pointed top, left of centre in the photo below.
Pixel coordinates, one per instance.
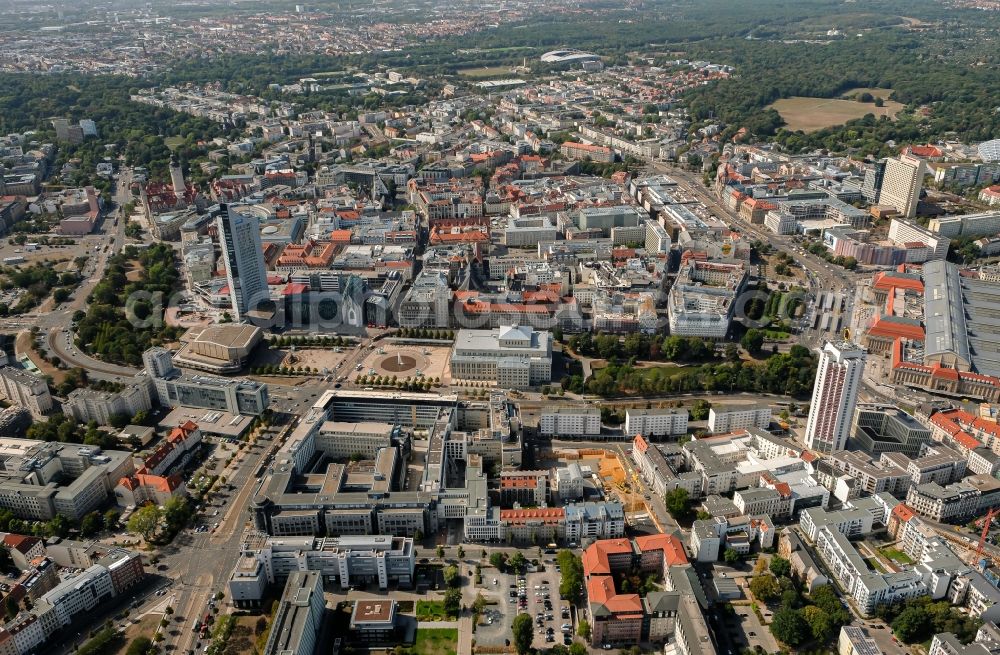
(239, 238)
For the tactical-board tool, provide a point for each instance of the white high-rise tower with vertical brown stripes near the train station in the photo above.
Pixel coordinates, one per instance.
(835, 394)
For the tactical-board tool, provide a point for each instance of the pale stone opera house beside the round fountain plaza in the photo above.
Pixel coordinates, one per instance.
(513, 356)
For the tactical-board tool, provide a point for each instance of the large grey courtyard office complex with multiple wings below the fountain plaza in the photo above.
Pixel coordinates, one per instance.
(386, 496)
